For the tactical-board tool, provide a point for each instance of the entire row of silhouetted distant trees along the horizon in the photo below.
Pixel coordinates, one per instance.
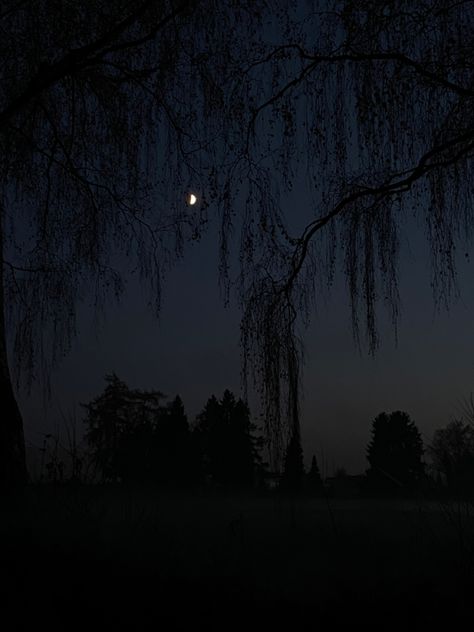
(134, 437)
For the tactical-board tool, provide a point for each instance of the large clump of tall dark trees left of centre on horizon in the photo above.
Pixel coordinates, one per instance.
(135, 438)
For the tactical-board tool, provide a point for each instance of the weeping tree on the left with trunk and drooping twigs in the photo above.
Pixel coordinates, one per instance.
(106, 112)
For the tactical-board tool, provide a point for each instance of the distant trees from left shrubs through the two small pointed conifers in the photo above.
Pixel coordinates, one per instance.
(134, 437)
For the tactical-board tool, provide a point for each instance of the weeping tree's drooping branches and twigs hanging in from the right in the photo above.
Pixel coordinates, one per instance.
(371, 104)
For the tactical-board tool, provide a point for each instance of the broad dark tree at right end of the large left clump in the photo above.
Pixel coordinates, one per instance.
(231, 452)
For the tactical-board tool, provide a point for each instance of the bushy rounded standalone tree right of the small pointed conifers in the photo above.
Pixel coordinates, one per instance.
(394, 453)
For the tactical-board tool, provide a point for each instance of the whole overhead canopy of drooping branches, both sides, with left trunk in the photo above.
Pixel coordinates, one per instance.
(109, 115)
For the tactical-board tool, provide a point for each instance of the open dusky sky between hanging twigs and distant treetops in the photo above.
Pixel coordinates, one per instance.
(193, 350)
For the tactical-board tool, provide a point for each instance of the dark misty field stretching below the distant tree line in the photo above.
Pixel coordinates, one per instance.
(130, 560)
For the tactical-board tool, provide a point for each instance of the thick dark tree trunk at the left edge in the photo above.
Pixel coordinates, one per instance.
(13, 471)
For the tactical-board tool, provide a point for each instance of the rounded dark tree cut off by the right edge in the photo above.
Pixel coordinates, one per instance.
(452, 451)
